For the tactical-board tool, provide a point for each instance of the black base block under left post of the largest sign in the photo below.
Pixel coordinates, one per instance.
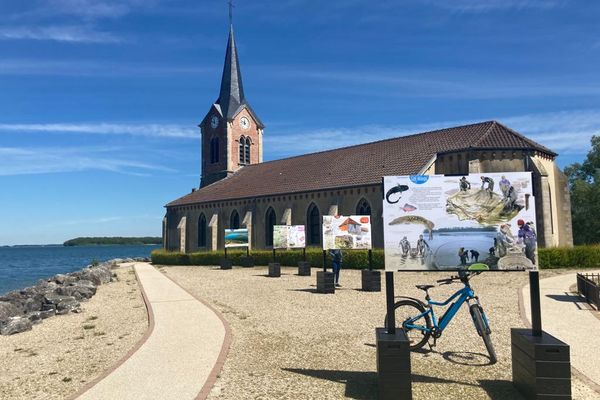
(393, 365)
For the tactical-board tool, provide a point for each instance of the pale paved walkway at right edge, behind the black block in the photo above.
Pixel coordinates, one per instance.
(568, 317)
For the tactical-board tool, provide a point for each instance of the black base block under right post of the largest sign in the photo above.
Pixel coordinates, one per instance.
(541, 365)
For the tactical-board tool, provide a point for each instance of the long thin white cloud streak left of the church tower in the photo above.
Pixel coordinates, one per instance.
(151, 130)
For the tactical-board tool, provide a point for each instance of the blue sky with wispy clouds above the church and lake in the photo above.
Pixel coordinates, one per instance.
(99, 99)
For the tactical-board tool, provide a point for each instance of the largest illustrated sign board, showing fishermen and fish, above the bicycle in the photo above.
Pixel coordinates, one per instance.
(475, 222)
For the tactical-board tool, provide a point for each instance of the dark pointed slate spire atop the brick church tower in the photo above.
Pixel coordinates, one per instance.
(231, 96)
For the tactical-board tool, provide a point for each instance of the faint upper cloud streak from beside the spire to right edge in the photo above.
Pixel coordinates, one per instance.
(462, 84)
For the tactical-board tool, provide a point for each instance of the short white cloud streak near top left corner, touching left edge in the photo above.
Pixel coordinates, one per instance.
(71, 34)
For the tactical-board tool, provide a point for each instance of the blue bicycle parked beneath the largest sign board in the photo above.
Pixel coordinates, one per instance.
(418, 320)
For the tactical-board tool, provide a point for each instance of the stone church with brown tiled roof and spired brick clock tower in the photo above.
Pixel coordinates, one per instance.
(239, 190)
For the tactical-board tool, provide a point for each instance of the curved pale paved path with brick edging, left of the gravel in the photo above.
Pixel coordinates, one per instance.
(177, 358)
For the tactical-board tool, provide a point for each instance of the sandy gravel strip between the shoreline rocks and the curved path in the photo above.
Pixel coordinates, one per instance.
(63, 353)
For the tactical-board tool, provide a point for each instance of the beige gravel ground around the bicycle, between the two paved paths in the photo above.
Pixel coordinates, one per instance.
(291, 343)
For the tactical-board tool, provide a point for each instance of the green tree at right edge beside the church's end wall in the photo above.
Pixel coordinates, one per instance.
(584, 183)
